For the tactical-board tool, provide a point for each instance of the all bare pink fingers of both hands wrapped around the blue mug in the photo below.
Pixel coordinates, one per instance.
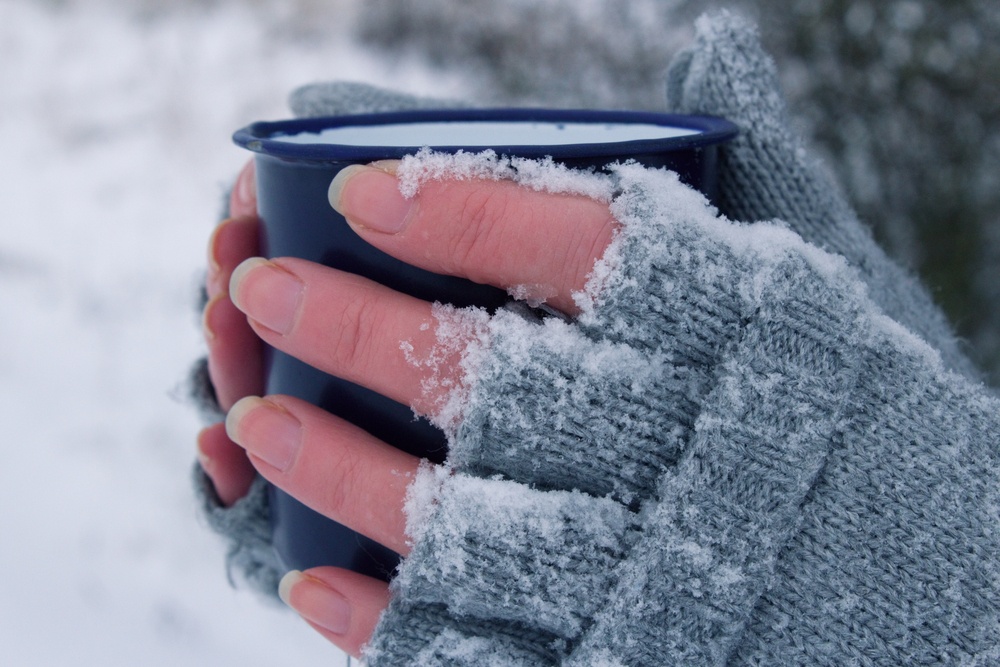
(491, 232)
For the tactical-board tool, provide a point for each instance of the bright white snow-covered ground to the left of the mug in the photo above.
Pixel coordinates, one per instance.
(114, 156)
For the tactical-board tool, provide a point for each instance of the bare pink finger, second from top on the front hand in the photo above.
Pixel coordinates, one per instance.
(345, 325)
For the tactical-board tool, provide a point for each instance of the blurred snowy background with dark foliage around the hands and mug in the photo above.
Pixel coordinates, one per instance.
(116, 116)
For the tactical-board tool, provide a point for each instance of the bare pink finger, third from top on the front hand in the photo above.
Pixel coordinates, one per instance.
(328, 464)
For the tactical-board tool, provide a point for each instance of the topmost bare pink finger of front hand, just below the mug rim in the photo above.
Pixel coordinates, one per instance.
(493, 232)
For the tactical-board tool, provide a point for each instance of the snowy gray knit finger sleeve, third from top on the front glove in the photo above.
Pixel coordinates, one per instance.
(493, 549)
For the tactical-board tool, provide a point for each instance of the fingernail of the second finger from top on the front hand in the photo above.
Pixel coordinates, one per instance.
(267, 293)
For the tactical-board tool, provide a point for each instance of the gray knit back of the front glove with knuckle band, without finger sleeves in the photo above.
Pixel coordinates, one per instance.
(836, 502)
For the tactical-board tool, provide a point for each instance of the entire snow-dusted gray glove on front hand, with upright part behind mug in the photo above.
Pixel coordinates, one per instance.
(735, 457)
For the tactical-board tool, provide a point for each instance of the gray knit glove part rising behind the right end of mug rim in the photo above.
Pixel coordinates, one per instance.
(766, 173)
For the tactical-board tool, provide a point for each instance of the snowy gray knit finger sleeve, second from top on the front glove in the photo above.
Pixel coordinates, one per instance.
(550, 404)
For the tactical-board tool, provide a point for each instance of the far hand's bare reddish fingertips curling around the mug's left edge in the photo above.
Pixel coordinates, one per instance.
(234, 352)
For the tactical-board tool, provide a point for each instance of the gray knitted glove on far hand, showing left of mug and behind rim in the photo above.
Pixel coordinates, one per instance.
(246, 525)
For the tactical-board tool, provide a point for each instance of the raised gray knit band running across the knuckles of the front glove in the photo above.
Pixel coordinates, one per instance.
(729, 507)
